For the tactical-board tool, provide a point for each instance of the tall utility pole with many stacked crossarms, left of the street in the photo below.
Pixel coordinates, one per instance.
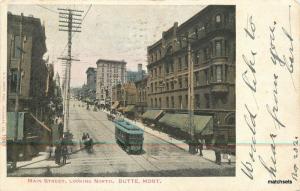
(70, 22)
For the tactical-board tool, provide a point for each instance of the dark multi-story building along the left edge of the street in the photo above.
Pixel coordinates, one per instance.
(34, 71)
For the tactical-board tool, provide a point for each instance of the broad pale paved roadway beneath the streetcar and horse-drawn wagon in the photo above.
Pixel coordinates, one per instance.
(108, 159)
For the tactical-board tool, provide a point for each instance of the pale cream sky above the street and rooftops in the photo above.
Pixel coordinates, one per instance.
(108, 32)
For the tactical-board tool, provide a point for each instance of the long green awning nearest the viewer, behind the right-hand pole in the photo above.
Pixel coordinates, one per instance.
(203, 124)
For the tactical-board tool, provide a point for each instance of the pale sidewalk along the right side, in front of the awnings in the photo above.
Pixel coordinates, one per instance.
(207, 154)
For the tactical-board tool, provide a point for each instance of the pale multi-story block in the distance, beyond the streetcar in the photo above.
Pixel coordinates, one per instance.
(109, 73)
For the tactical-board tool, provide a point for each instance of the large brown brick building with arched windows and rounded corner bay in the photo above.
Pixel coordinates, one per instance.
(211, 34)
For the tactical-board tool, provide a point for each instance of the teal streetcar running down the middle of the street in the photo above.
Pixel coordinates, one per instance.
(129, 136)
